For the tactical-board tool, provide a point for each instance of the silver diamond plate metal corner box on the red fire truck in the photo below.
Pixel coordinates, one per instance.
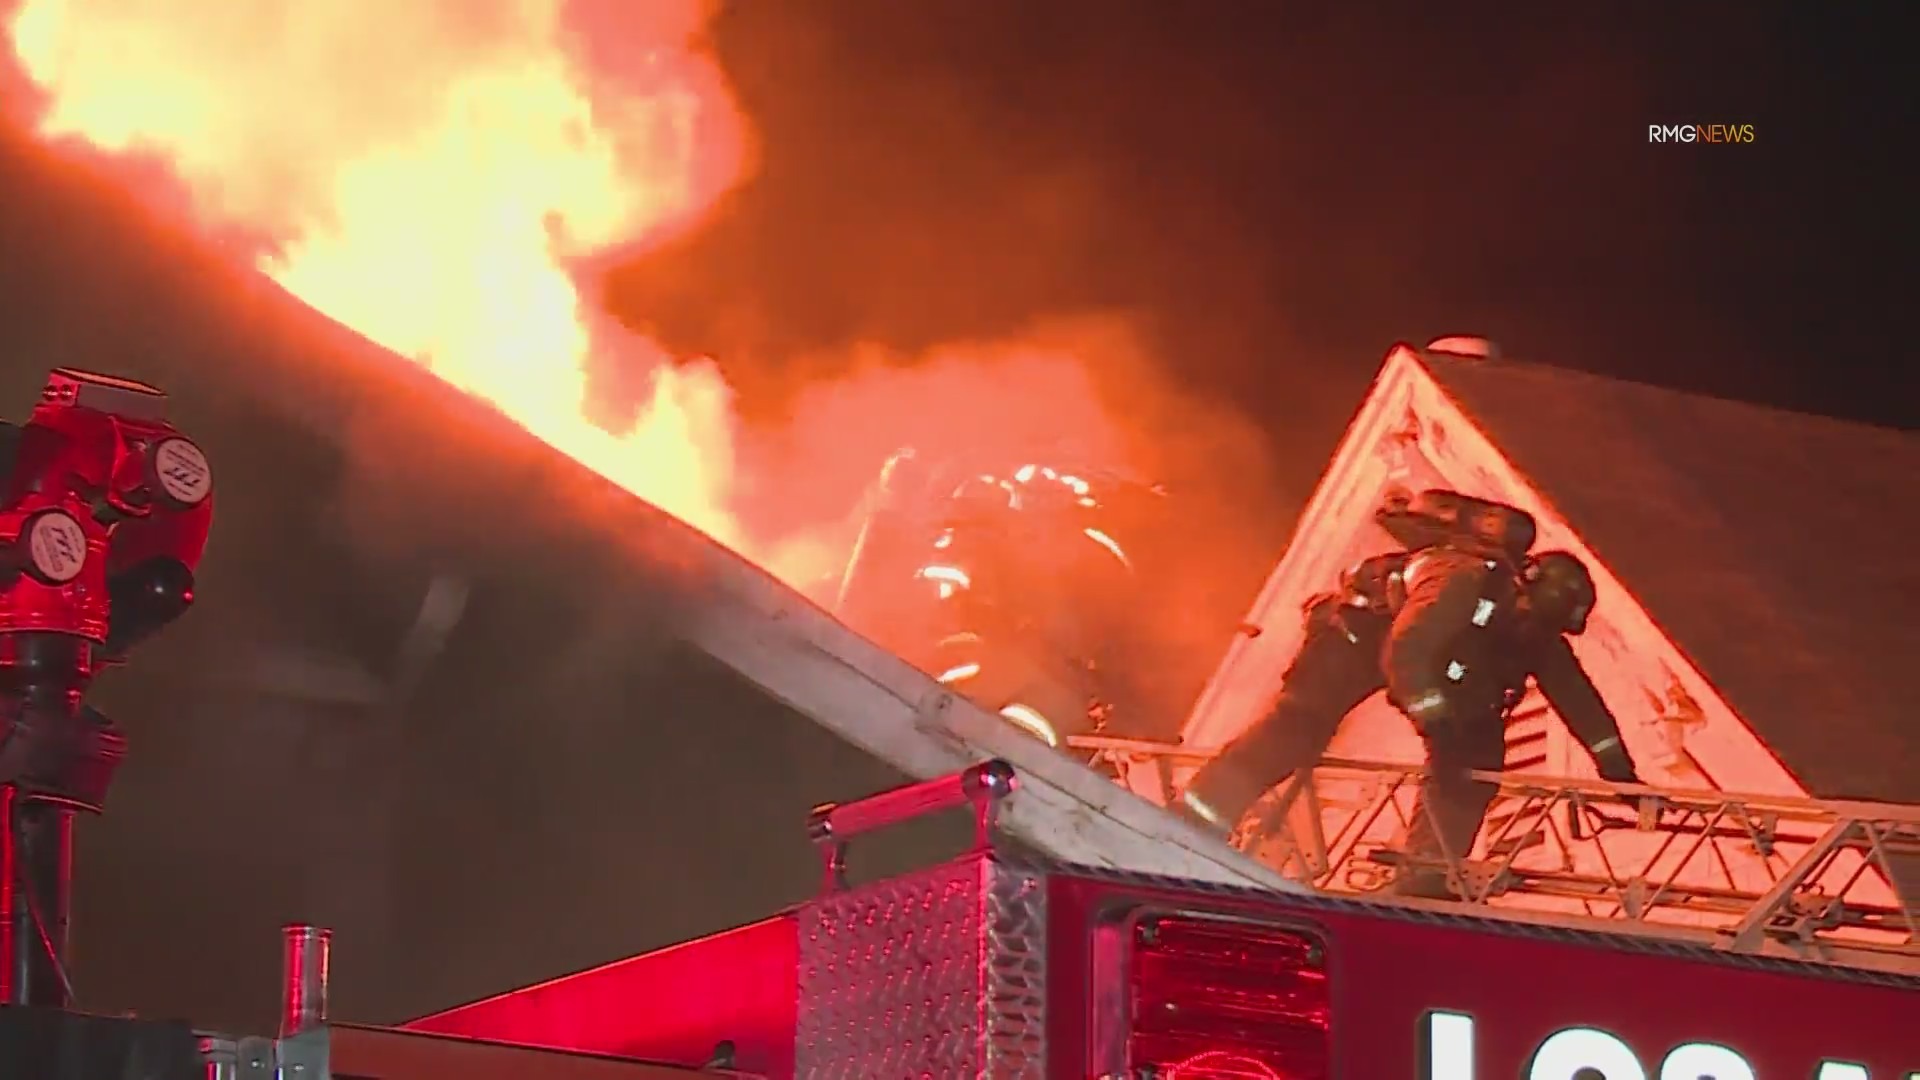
(934, 975)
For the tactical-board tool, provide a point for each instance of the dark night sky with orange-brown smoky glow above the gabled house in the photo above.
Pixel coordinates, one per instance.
(1284, 197)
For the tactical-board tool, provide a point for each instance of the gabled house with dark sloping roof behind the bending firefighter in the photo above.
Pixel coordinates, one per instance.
(1750, 626)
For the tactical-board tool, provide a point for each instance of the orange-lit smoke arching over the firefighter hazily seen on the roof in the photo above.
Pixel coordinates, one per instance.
(1078, 383)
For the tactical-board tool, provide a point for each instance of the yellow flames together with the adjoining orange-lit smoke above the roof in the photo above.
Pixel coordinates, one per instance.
(444, 176)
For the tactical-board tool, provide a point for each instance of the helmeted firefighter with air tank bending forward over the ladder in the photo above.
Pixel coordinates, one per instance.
(1470, 635)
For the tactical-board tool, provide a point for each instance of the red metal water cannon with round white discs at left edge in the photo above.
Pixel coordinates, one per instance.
(105, 514)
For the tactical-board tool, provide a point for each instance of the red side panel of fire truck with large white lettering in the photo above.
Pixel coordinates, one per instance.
(1387, 973)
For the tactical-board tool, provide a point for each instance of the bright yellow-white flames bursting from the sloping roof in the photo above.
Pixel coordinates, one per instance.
(427, 174)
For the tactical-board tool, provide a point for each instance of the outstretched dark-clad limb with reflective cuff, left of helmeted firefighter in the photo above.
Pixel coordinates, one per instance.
(1337, 668)
